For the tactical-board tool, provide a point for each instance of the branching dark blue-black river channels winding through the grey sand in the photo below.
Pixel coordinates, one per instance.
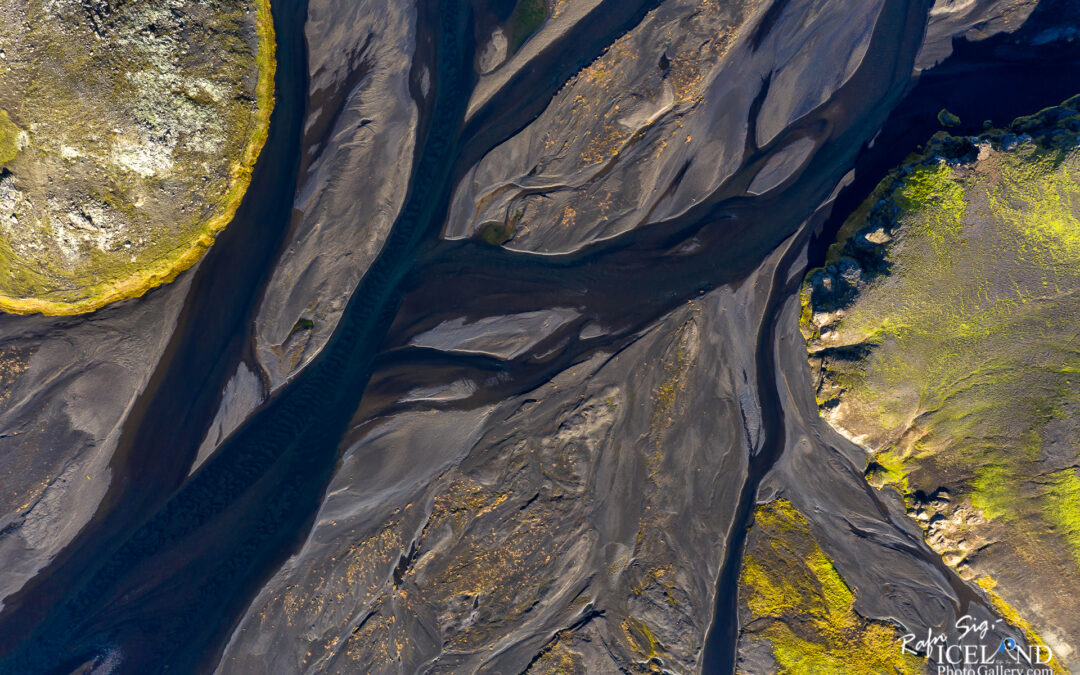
(169, 563)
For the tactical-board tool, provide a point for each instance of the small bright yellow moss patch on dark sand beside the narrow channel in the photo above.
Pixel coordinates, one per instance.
(802, 606)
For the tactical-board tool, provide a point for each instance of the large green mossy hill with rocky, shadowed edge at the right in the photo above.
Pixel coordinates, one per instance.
(946, 337)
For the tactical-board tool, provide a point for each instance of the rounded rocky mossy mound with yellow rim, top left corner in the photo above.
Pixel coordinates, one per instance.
(129, 134)
